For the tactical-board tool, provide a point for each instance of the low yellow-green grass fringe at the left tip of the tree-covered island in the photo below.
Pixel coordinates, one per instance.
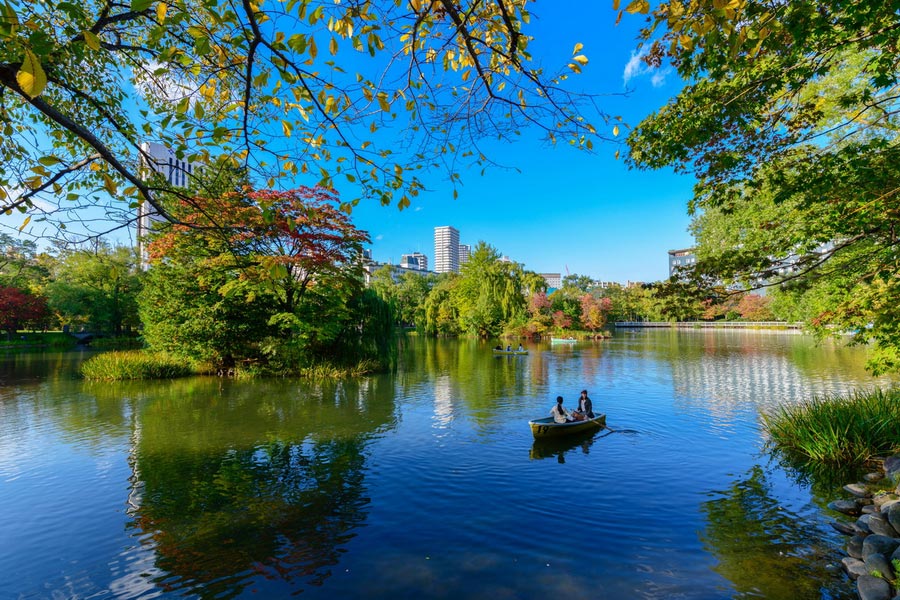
(136, 364)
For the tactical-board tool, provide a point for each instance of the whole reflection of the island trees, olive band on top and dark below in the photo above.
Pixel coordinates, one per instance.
(234, 488)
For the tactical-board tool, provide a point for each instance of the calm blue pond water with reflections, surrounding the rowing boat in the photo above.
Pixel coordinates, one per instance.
(425, 483)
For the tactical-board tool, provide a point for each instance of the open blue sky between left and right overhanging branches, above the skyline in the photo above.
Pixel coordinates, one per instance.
(560, 208)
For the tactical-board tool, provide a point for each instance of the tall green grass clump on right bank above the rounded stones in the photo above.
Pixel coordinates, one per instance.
(835, 430)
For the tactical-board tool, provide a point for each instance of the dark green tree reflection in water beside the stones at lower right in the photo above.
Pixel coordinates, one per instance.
(764, 549)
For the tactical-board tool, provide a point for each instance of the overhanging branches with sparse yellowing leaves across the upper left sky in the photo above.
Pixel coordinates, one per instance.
(285, 88)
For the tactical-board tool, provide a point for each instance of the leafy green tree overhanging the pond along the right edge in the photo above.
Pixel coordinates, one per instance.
(790, 125)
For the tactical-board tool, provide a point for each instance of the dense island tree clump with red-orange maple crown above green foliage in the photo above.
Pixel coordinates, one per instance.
(263, 278)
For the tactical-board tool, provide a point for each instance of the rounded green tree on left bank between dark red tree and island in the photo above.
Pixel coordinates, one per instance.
(97, 288)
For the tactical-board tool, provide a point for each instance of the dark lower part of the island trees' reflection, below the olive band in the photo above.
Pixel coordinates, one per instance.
(282, 511)
